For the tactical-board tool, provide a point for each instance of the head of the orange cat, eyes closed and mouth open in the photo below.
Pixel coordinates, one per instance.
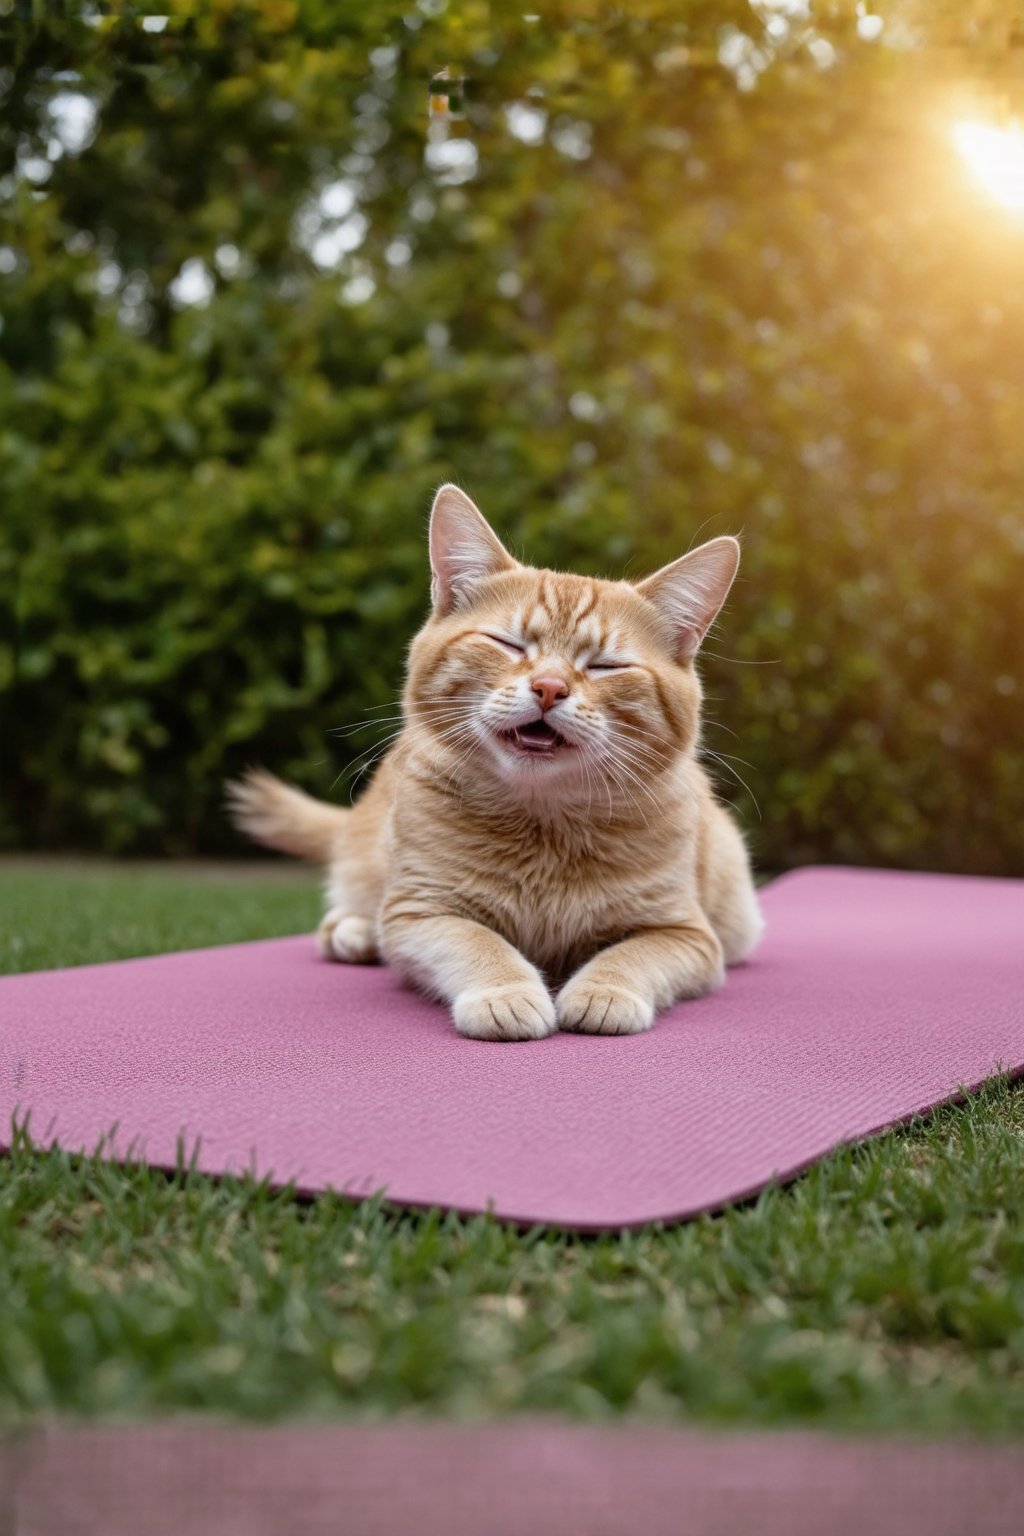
(553, 686)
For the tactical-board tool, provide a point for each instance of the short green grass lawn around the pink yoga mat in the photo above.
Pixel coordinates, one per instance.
(885, 1289)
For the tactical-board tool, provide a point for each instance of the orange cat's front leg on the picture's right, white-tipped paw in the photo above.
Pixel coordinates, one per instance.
(624, 987)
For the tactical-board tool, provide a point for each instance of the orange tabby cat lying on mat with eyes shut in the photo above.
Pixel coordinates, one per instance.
(541, 849)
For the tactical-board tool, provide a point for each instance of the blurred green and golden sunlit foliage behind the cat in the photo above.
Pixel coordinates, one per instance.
(632, 274)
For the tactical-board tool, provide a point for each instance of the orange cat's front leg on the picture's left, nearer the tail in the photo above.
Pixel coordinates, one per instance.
(492, 990)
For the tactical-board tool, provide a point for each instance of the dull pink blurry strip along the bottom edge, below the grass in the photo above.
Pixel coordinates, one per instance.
(498, 1480)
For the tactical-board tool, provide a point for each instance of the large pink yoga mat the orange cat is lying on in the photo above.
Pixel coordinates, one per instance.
(873, 996)
